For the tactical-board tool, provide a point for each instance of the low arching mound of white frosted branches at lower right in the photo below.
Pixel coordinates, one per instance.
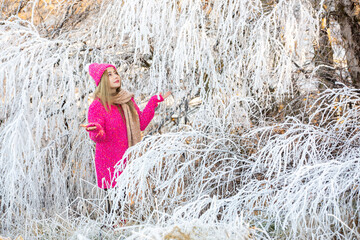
(302, 181)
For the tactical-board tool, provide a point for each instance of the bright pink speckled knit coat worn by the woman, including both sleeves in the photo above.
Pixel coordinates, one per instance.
(111, 136)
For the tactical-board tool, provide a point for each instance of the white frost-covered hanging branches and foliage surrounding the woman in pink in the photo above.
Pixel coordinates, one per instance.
(245, 148)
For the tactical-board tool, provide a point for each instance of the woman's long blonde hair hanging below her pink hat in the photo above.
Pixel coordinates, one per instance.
(102, 91)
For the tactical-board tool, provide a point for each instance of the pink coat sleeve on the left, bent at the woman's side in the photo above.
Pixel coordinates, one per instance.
(96, 118)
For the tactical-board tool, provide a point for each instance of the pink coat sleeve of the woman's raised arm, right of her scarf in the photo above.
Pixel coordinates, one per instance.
(147, 114)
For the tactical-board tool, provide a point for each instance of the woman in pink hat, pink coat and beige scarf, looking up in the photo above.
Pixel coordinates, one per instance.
(115, 121)
